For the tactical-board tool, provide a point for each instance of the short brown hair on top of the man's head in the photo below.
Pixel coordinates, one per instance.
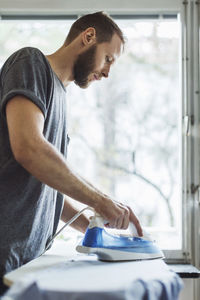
(105, 28)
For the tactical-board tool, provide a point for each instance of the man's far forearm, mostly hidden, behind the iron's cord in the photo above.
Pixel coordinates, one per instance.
(68, 212)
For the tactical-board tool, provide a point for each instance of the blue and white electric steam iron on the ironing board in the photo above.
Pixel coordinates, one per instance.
(110, 247)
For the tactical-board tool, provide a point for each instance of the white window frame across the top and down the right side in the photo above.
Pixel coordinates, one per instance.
(189, 12)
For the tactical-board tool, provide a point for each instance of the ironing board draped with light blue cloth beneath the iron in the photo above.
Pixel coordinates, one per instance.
(63, 274)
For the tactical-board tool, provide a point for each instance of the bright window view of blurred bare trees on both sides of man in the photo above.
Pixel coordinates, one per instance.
(125, 130)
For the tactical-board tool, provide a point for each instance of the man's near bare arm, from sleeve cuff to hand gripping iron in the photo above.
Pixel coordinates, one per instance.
(40, 158)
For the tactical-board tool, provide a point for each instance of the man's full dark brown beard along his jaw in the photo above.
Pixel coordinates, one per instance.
(84, 66)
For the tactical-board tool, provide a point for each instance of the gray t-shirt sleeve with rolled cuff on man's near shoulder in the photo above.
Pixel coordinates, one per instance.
(27, 77)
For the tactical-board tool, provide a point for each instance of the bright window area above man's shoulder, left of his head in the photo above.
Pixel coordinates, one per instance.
(45, 35)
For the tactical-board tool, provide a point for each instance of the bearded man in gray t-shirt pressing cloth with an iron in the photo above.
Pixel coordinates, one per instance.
(34, 174)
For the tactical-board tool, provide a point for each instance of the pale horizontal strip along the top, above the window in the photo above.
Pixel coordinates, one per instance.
(80, 6)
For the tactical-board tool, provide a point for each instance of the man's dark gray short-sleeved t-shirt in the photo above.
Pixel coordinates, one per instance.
(29, 209)
